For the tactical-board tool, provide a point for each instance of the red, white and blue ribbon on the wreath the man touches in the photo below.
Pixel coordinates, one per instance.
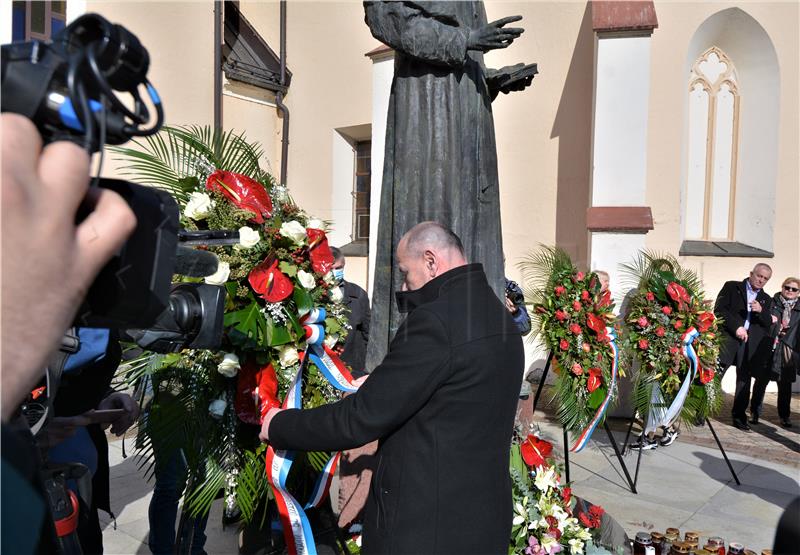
(296, 528)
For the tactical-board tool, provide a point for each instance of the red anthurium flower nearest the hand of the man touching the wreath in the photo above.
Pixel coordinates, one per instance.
(256, 392)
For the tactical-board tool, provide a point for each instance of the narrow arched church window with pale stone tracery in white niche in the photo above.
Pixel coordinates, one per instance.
(713, 144)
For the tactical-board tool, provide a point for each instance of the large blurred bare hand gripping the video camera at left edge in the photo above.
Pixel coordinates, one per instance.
(48, 260)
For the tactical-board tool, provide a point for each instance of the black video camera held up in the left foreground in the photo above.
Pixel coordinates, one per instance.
(67, 88)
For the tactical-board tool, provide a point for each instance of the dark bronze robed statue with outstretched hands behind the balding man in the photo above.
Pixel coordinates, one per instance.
(441, 161)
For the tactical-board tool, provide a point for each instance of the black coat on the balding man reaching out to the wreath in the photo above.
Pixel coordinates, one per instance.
(442, 403)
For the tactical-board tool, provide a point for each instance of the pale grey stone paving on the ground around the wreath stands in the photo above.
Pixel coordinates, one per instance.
(686, 485)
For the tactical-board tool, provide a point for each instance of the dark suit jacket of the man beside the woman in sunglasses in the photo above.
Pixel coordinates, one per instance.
(731, 306)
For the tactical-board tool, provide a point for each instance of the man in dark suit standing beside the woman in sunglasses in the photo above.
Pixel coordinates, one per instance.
(744, 309)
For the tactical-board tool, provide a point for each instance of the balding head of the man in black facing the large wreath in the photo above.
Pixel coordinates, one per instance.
(428, 250)
